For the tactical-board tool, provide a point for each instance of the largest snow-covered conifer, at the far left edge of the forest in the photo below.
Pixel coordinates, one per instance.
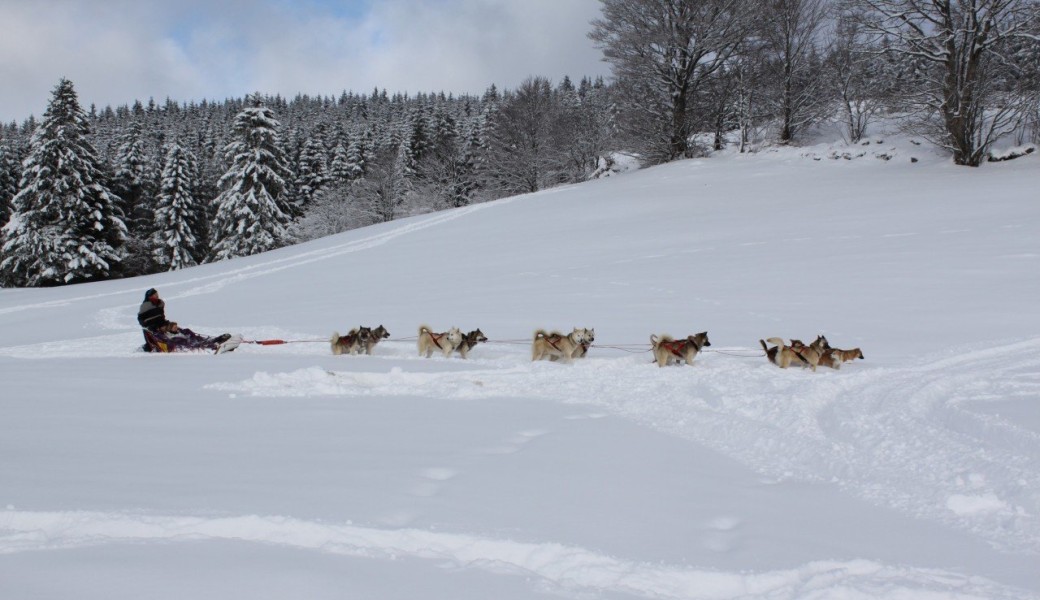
(66, 226)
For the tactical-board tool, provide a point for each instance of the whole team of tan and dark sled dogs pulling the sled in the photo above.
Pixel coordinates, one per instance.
(557, 347)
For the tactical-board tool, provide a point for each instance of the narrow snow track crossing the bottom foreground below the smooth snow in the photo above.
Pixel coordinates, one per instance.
(565, 568)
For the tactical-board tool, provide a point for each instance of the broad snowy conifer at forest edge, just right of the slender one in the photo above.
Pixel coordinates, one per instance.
(249, 218)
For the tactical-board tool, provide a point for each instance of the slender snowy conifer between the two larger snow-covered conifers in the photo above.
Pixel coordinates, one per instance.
(177, 212)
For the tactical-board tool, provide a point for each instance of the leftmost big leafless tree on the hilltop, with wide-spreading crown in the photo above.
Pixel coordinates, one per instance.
(661, 53)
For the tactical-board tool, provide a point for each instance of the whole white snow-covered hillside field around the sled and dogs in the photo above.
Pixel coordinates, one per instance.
(282, 472)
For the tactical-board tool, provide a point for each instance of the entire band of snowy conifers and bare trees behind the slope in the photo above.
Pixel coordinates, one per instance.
(93, 195)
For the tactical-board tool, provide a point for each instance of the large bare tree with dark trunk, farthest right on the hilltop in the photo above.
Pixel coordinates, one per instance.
(960, 98)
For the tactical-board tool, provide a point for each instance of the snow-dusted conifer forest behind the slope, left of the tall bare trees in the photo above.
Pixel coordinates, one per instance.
(166, 187)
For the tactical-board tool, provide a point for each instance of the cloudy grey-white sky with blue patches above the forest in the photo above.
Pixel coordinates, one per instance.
(118, 51)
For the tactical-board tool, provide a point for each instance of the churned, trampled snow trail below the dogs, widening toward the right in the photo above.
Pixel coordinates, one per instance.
(905, 438)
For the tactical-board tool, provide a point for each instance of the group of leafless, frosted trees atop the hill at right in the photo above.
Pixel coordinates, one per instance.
(960, 73)
